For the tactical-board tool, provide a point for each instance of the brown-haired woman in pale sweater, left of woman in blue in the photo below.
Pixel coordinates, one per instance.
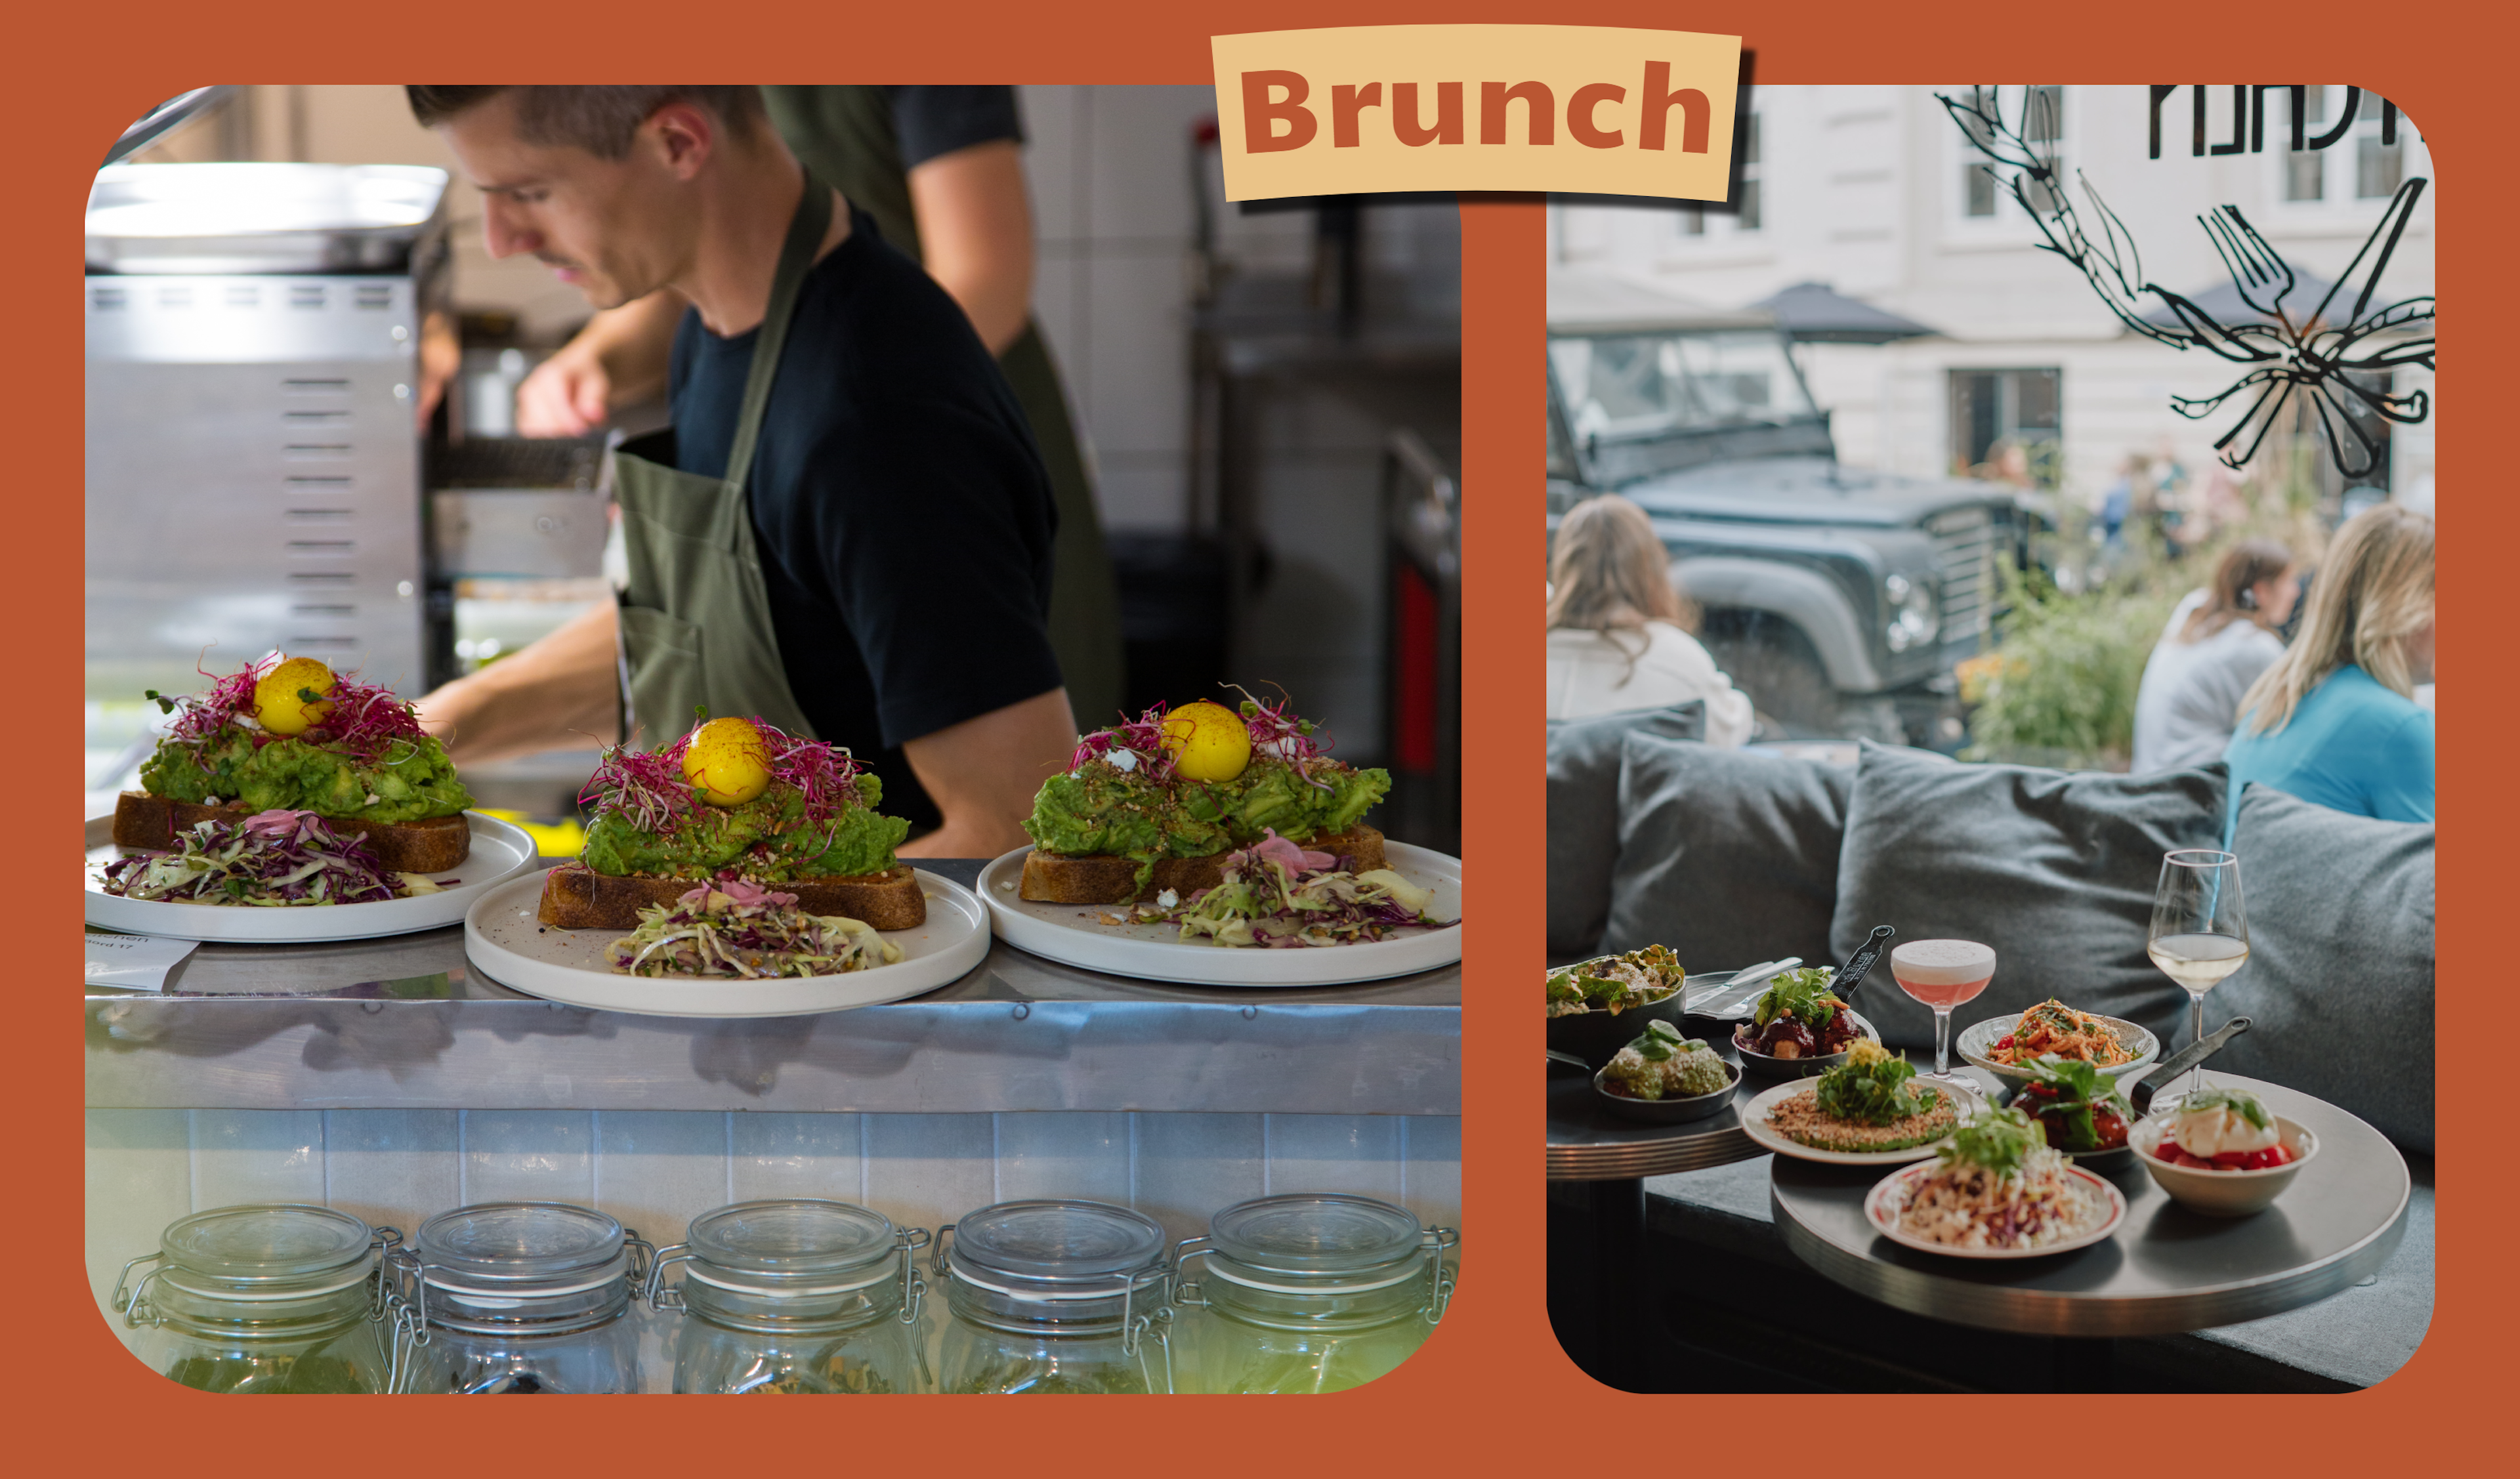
(2219, 641)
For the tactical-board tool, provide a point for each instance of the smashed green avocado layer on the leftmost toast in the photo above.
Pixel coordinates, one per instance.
(409, 780)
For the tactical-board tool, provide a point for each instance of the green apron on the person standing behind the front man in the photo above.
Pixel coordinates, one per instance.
(845, 137)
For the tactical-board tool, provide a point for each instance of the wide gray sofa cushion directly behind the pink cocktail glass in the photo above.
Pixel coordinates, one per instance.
(2055, 871)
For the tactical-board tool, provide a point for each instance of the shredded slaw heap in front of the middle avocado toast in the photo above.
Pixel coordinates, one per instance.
(742, 931)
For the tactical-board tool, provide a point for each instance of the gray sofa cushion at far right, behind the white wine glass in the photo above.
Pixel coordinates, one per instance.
(2340, 961)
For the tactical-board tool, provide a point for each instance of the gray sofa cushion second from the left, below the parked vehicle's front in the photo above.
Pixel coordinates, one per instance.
(1725, 855)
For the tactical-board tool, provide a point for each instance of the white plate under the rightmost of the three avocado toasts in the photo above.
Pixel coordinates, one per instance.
(1075, 936)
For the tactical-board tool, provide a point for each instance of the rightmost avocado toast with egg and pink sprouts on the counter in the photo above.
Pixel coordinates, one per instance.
(1158, 802)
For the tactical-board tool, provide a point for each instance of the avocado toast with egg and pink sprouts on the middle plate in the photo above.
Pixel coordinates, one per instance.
(735, 800)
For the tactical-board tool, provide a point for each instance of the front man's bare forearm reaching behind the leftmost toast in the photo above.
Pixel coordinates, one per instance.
(556, 694)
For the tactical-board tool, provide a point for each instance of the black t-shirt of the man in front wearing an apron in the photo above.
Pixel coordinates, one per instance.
(898, 503)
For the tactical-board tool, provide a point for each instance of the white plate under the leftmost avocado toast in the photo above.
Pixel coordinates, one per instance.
(500, 850)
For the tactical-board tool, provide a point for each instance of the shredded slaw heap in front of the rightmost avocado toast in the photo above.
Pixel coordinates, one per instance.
(1284, 896)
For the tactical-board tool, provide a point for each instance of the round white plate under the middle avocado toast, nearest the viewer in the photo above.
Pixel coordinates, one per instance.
(568, 966)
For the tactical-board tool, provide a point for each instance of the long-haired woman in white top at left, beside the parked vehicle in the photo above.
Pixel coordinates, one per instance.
(1619, 631)
